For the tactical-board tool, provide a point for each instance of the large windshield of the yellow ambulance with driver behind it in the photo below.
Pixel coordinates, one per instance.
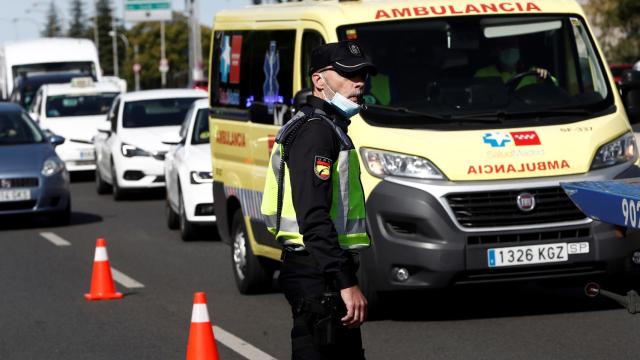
(463, 70)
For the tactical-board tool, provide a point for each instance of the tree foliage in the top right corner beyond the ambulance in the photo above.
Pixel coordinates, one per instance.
(617, 24)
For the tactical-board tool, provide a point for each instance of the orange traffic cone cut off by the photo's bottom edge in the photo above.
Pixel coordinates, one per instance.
(202, 343)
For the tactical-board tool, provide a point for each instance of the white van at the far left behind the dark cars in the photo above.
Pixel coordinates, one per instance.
(46, 55)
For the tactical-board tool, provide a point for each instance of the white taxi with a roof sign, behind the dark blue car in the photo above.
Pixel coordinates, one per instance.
(74, 110)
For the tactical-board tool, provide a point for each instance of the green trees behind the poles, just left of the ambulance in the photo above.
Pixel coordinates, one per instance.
(147, 36)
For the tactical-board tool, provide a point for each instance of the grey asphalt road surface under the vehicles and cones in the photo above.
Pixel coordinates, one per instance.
(43, 314)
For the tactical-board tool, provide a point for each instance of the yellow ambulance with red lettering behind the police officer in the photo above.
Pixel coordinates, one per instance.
(480, 109)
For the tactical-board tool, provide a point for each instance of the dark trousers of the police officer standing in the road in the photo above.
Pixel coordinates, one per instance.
(300, 278)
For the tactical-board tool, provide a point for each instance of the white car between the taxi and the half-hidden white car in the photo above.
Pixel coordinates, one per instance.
(129, 150)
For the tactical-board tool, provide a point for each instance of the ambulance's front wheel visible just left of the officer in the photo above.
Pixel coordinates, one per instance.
(251, 276)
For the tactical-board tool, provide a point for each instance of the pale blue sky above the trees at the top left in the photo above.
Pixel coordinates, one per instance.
(23, 19)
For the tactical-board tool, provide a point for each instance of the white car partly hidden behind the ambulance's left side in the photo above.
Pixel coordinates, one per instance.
(187, 169)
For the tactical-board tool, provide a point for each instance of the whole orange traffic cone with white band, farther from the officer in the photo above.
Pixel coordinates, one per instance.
(102, 287)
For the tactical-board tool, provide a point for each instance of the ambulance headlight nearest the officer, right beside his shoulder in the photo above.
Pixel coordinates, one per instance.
(383, 163)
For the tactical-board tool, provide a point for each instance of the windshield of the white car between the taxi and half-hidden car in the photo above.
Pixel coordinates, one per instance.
(156, 112)
